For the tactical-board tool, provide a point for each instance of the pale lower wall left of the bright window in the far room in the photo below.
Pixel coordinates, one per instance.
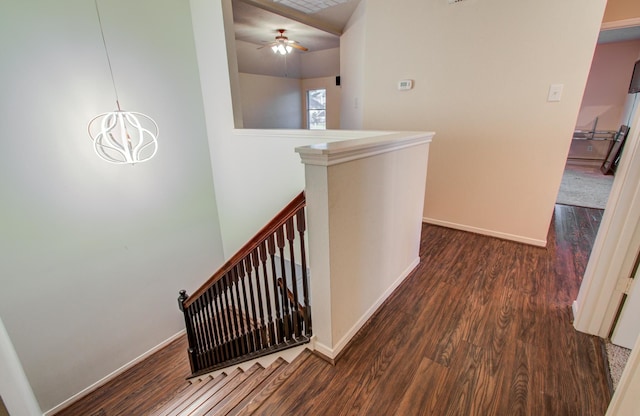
(271, 102)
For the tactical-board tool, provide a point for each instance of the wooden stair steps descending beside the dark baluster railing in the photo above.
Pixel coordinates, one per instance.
(238, 392)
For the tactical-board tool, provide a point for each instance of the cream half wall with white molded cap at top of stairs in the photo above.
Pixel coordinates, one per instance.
(364, 229)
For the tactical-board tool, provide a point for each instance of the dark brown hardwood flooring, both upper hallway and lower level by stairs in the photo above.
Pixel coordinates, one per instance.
(481, 327)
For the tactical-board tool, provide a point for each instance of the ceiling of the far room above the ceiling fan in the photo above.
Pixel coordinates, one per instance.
(257, 22)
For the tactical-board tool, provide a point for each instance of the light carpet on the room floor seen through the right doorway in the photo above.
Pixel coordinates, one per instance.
(584, 186)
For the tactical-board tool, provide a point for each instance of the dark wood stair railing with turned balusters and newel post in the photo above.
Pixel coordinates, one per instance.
(247, 308)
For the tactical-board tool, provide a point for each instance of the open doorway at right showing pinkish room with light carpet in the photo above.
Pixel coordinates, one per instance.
(606, 106)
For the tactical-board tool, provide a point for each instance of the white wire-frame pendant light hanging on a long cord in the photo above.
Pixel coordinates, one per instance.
(122, 137)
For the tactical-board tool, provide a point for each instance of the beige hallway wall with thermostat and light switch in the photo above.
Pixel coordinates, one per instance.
(482, 72)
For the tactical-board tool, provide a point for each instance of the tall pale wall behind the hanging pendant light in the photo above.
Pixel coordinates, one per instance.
(92, 255)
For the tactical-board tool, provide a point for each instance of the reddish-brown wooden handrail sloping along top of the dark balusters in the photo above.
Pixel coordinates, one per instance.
(277, 221)
